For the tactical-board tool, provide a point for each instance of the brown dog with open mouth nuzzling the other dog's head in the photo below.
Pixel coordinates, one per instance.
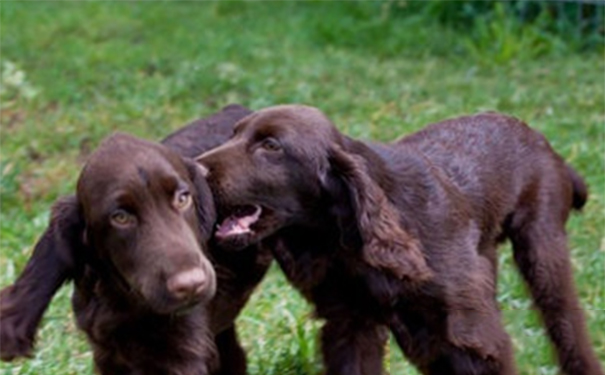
(404, 235)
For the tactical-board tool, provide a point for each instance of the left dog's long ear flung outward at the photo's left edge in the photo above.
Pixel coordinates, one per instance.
(52, 263)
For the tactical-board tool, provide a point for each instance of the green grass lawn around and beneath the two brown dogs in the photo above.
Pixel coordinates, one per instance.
(83, 70)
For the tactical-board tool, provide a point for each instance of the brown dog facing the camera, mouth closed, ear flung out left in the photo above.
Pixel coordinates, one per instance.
(134, 241)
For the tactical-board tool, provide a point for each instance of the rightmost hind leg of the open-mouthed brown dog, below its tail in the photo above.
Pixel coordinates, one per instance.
(540, 251)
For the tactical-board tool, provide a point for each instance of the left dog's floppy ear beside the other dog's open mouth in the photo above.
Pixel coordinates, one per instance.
(203, 197)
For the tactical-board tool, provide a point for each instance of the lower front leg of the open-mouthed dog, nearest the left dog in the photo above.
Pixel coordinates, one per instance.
(353, 346)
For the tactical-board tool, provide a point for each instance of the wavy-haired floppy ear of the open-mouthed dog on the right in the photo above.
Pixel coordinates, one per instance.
(385, 244)
